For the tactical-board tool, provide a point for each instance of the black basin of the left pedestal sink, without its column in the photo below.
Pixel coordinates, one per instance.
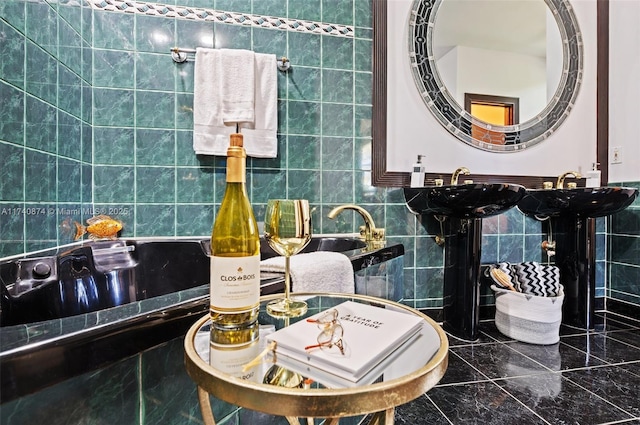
(464, 201)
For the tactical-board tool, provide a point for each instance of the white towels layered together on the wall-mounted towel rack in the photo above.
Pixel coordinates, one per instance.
(234, 86)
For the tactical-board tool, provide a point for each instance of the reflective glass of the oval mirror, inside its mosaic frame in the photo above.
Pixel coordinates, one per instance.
(501, 61)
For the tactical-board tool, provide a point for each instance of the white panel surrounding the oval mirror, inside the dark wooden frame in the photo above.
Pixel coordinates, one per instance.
(412, 130)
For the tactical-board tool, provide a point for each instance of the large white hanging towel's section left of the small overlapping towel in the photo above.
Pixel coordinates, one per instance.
(210, 134)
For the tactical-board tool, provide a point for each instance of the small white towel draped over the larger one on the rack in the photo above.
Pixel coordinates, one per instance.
(238, 82)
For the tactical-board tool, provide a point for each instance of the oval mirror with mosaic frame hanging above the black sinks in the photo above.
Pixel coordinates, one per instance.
(500, 76)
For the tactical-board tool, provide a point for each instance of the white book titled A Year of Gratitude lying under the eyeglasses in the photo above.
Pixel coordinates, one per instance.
(371, 334)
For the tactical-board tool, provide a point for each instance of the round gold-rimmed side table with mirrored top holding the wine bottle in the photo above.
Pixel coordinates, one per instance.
(413, 373)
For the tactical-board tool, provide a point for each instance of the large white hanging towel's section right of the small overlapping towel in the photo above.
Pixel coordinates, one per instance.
(260, 136)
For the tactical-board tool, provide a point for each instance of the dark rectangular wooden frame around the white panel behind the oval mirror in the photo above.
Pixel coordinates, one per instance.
(382, 177)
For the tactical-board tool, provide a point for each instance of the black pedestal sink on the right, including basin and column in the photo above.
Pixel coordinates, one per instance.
(572, 214)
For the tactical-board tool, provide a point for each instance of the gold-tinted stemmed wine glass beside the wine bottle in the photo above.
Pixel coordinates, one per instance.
(287, 229)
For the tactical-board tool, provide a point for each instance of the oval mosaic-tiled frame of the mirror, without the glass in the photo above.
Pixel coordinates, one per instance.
(452, 116)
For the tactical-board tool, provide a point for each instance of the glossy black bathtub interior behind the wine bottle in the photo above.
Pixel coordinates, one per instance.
(99, 275)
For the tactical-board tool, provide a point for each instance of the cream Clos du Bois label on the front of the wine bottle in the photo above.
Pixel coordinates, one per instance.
(235, 284)
